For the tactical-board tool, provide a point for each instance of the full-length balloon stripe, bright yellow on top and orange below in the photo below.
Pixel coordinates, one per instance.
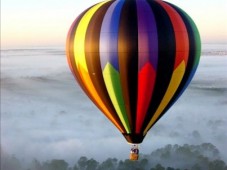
(80, 60)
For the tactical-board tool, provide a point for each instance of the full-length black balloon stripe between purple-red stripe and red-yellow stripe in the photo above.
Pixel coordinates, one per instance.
(166, 57)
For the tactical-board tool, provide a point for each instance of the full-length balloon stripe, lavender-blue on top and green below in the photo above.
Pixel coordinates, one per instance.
(109, 60)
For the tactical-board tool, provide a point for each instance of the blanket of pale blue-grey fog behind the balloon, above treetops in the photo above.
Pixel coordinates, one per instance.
(45, 115)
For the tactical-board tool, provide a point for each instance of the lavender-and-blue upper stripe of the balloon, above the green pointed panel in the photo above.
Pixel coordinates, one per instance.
(109, 35)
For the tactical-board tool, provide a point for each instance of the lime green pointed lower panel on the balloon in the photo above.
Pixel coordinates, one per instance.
(112, 80)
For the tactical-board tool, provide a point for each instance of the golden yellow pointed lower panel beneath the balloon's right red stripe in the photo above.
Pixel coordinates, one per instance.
(174, 84)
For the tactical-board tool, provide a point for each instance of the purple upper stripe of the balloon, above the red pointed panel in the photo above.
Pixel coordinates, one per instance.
(148, 36)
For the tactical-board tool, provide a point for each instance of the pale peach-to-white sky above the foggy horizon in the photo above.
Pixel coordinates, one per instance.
(46, 23)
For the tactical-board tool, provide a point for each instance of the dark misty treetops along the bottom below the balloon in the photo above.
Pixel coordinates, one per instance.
(171, 157)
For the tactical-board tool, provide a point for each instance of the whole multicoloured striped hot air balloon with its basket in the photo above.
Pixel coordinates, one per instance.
(133, 59)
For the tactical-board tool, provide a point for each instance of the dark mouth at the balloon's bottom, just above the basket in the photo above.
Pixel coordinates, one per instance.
(134, 138)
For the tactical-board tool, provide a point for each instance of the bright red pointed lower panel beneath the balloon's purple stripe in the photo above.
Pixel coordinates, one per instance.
(146, 81)
